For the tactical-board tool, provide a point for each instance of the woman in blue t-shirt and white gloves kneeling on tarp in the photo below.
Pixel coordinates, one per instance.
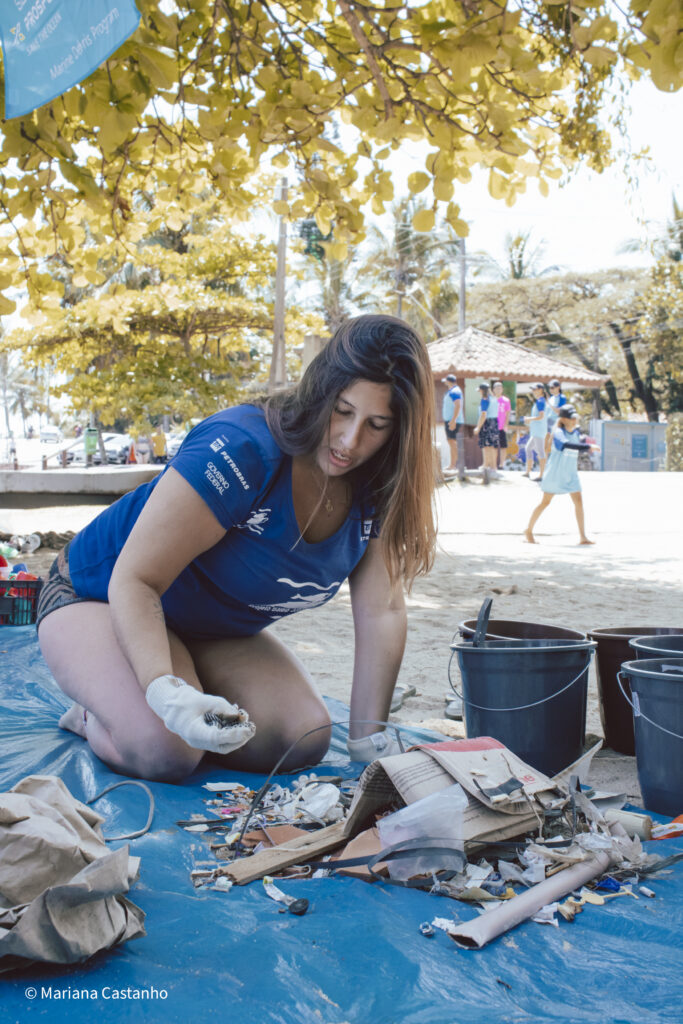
(155, 619)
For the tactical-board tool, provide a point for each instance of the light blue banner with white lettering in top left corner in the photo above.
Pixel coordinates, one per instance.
(51, 46)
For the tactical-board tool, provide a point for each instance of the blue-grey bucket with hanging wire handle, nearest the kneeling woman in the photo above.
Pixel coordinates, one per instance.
(529, 695)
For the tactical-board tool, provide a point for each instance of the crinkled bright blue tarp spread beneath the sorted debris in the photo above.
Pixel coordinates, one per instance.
(357, 957)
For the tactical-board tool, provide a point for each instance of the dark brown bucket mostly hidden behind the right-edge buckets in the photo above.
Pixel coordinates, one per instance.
(613, 651)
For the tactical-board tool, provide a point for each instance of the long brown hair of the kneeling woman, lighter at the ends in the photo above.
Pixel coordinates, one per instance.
(398, 484)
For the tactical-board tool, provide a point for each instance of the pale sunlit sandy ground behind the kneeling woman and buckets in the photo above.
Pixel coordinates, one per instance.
(632, 576)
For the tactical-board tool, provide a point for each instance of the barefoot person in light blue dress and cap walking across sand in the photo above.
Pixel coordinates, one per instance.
(562, 477)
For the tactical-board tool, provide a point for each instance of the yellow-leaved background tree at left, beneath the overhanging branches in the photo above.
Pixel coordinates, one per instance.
(173, 319)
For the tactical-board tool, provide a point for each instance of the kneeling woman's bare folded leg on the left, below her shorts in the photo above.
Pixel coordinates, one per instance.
(83, 655)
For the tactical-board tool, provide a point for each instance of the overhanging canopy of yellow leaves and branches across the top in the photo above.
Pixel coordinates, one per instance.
(210, 91)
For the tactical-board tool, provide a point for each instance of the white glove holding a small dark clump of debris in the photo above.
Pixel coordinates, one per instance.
(204, 721)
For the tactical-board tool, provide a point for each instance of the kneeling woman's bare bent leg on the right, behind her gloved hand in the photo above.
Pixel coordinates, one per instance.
(262, 675)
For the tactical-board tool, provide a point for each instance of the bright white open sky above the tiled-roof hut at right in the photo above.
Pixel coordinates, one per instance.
(584, 223)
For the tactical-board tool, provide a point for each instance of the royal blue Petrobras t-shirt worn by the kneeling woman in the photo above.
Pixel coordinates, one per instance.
(262, 570)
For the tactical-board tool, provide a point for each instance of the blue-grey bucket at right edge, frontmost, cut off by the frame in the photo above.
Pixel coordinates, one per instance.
(657, 700)
